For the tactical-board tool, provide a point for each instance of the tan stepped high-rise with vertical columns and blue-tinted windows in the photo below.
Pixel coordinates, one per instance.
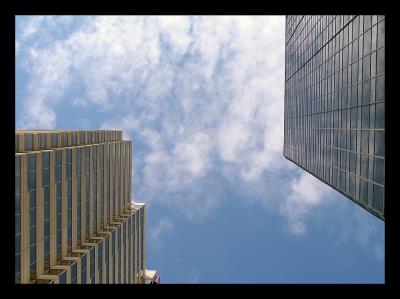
(74, 218)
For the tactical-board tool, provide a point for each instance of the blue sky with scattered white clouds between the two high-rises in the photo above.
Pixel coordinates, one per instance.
(202, 99)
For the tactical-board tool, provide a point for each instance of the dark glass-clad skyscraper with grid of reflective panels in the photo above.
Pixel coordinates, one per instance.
(335, 103)
